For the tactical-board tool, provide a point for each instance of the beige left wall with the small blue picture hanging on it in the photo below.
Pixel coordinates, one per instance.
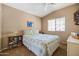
(14, 20)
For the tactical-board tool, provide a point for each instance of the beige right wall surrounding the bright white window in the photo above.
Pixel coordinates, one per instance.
(68, 12)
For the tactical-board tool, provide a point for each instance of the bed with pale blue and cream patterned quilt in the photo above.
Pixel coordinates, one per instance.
(41, 44)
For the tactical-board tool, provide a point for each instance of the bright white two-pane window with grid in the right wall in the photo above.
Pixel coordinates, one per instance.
(57, 24)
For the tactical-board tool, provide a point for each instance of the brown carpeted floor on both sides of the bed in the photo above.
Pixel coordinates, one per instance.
(23, 51)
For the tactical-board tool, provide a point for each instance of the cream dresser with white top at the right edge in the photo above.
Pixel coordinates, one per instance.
(72, 46)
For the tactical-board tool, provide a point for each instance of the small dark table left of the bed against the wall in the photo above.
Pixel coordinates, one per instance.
(14, 41)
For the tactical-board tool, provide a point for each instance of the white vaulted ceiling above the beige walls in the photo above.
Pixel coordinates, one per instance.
(39, 9)
